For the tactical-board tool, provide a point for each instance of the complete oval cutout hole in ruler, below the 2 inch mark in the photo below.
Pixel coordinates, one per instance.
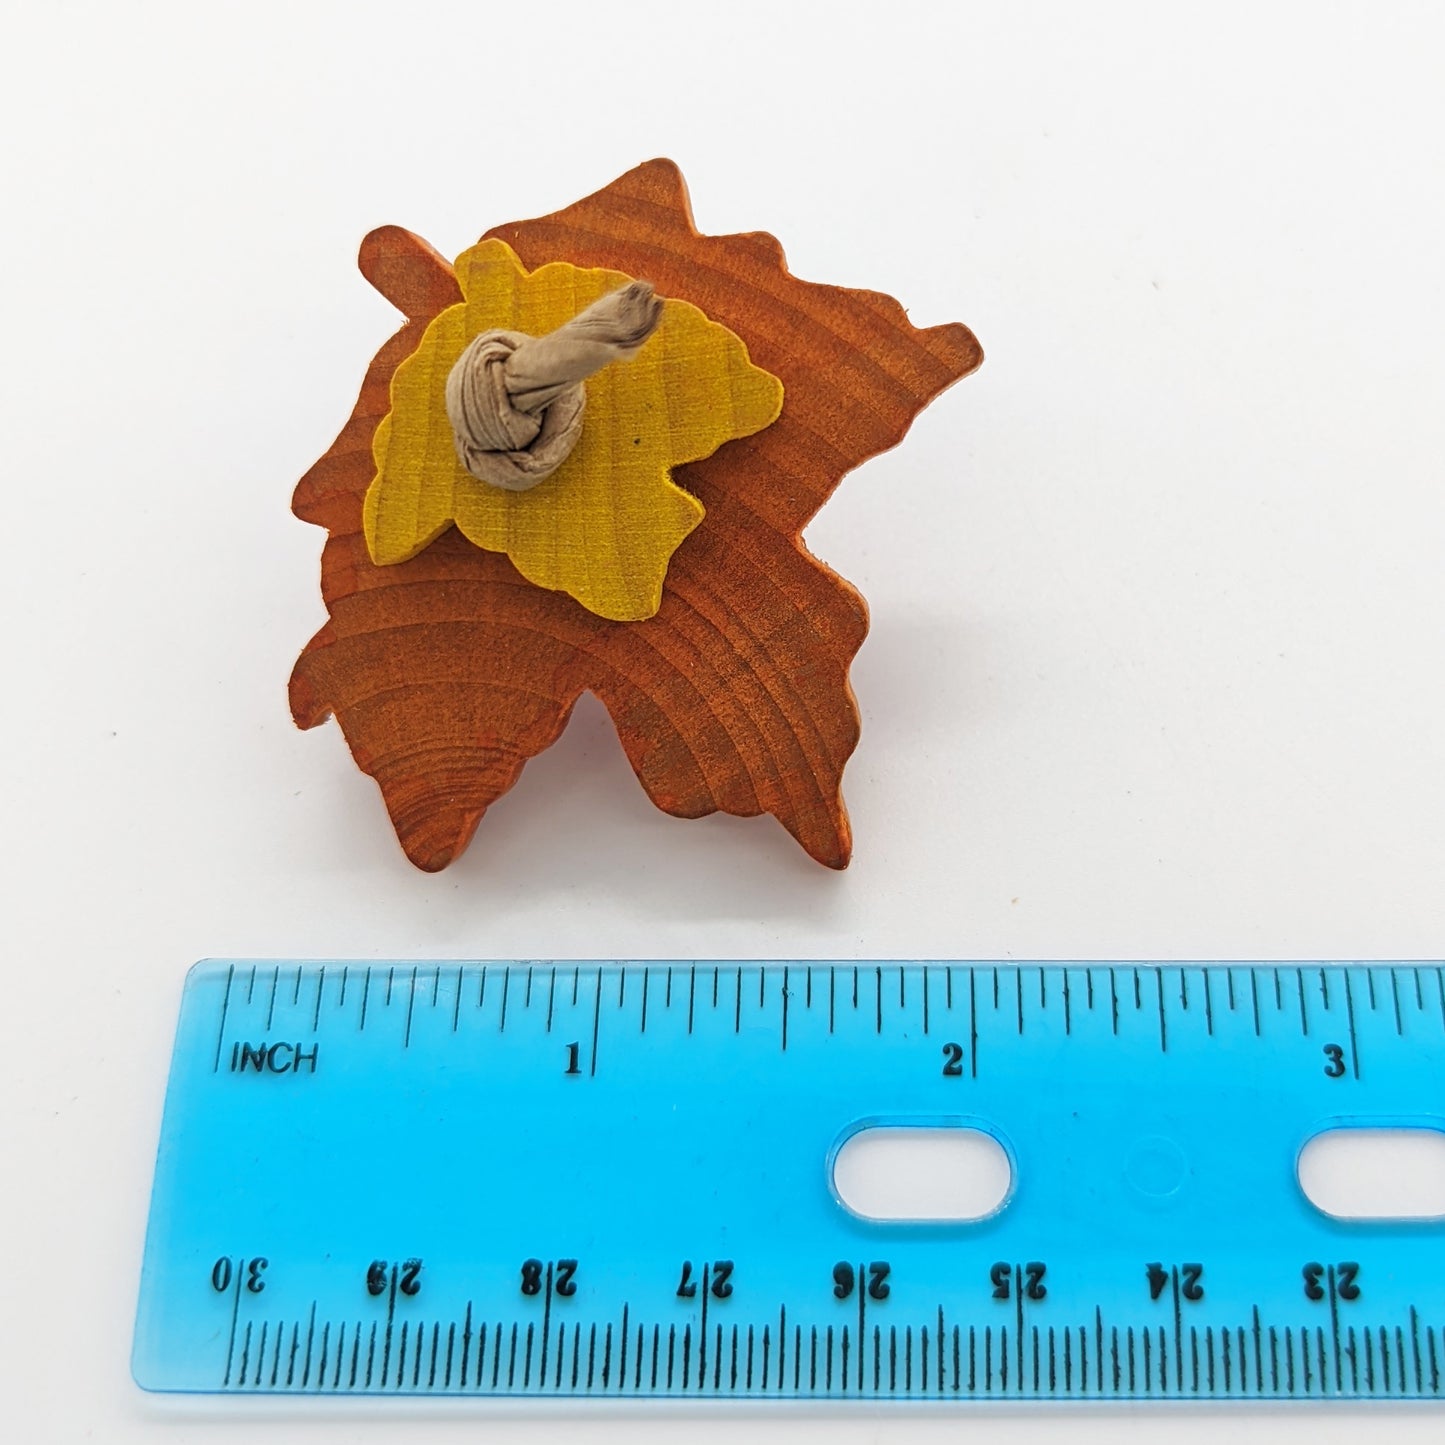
(914, 1173)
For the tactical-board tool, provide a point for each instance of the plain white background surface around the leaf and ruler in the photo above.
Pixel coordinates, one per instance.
(1157, 650)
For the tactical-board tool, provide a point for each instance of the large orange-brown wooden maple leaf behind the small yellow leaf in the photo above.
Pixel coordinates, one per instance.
(450, 671)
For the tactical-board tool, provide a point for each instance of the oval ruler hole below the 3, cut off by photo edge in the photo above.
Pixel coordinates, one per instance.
(1376, 1174)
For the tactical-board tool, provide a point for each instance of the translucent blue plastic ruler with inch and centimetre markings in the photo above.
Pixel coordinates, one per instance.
(599, 1180)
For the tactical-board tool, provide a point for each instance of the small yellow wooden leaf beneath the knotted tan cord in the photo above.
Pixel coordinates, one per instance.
(606, 524)
